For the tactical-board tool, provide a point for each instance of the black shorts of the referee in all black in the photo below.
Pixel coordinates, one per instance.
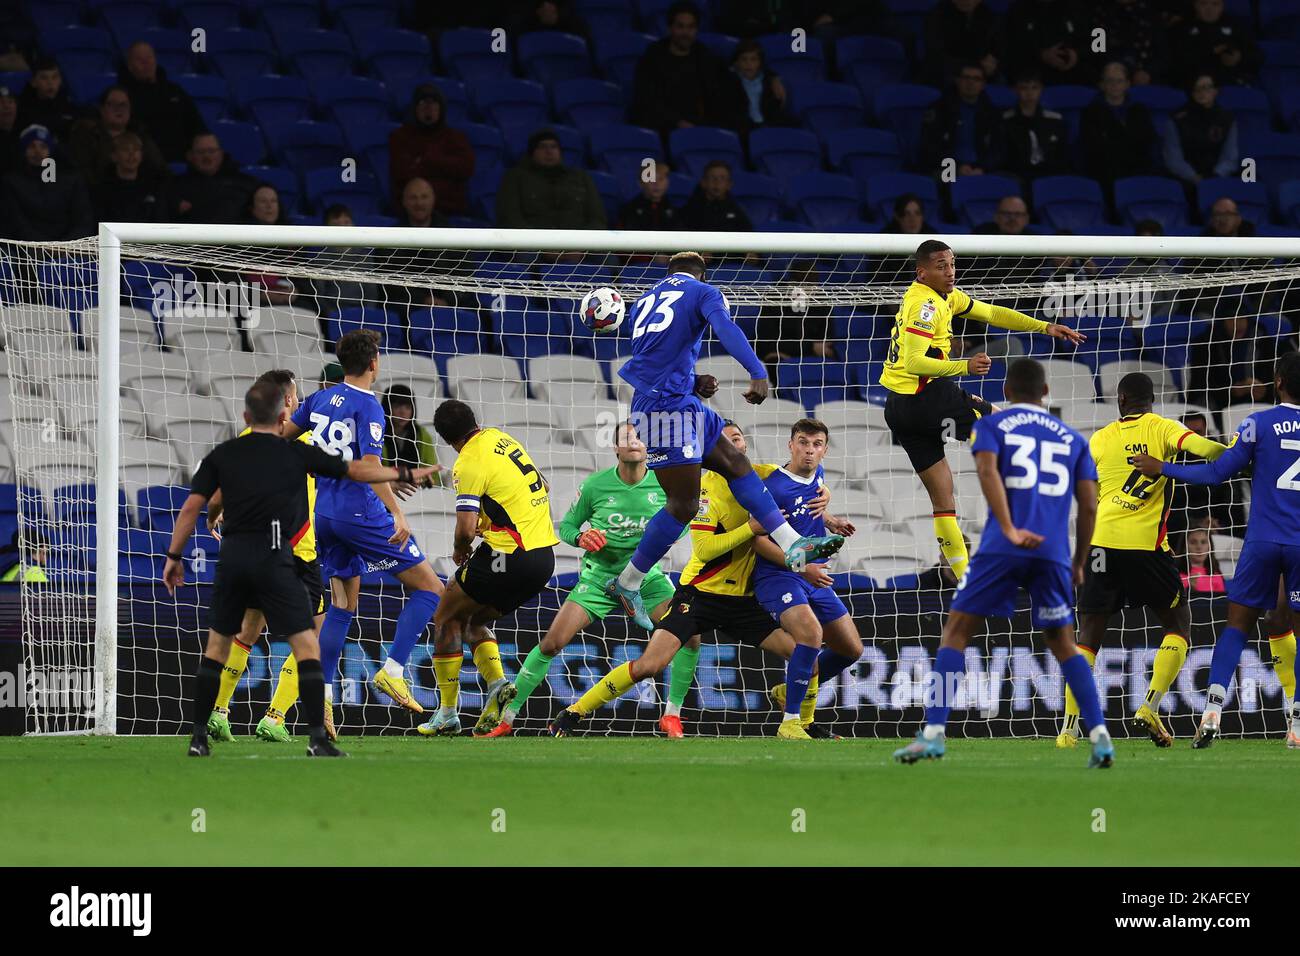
(252, 574)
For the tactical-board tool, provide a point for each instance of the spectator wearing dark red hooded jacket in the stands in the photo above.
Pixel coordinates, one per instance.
(426, 148)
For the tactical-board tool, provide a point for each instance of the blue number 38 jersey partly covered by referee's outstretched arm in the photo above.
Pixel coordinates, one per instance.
(349, 422)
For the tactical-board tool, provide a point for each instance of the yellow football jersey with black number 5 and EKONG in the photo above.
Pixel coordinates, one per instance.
(495, 477)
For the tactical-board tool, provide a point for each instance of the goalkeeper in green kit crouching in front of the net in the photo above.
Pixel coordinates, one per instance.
(616, 505)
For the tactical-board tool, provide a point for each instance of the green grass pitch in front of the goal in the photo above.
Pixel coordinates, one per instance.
(612, 802)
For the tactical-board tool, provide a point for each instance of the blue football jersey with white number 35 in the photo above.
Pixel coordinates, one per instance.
(1041, 458)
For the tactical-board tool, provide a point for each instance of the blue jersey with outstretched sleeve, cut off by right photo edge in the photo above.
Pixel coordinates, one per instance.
(1271, 442)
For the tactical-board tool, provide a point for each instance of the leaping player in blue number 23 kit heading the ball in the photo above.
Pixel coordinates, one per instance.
(682, 434)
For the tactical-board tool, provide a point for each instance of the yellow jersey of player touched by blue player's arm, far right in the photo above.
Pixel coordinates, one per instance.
(1133, 511)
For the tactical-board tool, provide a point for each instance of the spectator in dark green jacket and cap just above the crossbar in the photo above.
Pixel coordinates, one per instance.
(543, 193)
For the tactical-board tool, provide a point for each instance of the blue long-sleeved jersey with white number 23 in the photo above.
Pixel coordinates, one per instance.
(668, 330)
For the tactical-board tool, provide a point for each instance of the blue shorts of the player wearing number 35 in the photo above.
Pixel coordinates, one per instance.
(993, 583)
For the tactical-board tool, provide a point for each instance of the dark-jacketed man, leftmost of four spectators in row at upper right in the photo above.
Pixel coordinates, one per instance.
(964, 127)
